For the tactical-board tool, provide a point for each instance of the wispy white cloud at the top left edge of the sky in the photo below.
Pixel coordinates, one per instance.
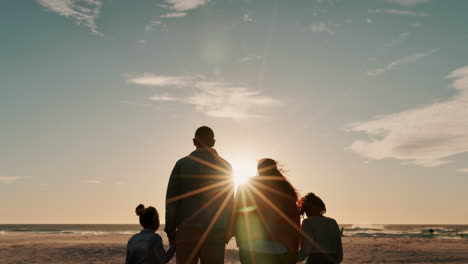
(82, 12)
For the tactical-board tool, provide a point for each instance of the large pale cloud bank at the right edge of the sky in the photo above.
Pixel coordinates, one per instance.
(425, 136)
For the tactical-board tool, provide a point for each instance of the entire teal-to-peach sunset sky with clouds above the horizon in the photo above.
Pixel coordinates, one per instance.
(363, 102)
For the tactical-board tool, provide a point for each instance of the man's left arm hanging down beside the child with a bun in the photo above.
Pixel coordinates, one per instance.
(171, 205)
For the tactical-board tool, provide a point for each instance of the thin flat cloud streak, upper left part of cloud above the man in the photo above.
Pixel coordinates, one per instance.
(149, 79)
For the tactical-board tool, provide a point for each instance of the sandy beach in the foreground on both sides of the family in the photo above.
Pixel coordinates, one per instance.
(73, 248)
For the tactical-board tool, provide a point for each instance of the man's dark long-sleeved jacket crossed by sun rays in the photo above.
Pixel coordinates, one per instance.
(200, 192)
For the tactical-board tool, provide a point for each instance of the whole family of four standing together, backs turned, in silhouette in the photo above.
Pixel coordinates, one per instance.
(204, 212)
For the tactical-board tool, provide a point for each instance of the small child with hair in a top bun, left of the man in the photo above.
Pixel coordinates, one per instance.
(146, 247)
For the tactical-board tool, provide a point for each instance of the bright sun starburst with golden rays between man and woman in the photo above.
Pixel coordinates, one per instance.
(225, 188)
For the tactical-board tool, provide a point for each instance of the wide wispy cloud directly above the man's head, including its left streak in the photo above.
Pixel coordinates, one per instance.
(213, 98)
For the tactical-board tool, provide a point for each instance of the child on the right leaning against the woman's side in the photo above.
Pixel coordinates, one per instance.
(321, 243)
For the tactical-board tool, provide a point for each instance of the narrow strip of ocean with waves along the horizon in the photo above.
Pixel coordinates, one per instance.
(411, 231)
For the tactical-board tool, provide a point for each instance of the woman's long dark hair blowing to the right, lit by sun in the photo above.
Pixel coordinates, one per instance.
(274, 177)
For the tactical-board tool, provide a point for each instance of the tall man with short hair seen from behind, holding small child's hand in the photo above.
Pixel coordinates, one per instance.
(199, 203)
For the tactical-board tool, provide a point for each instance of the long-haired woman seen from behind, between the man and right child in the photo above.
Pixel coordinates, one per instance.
(267, 217)
